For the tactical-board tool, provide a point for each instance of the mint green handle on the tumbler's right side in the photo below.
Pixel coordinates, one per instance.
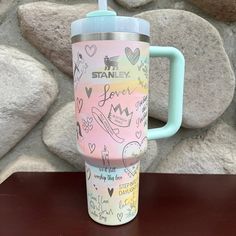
(176, 88)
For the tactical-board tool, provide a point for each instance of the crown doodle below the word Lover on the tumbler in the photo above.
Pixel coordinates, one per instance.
(119, 117)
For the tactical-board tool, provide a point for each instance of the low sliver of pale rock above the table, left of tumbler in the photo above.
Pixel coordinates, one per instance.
(30, 164)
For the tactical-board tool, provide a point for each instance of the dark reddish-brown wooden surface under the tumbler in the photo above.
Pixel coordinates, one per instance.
(51, 204)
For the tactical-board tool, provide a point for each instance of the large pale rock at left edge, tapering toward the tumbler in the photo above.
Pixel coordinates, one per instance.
(27, 90)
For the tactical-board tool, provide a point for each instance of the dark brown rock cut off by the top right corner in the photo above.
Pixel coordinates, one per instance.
(222, 10)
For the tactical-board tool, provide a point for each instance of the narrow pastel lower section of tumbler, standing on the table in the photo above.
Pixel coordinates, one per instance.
(112, 193)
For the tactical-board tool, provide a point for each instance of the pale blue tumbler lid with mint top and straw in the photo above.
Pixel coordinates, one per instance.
(105, 21)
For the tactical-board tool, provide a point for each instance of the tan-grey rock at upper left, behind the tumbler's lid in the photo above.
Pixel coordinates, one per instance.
(47, 26)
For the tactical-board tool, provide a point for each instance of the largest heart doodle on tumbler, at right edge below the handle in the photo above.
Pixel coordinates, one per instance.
(133, 150)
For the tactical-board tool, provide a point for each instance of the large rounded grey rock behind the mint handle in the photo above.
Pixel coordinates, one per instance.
(209, 79)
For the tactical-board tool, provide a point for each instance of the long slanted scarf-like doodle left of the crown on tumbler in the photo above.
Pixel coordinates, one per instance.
(105, 125)
